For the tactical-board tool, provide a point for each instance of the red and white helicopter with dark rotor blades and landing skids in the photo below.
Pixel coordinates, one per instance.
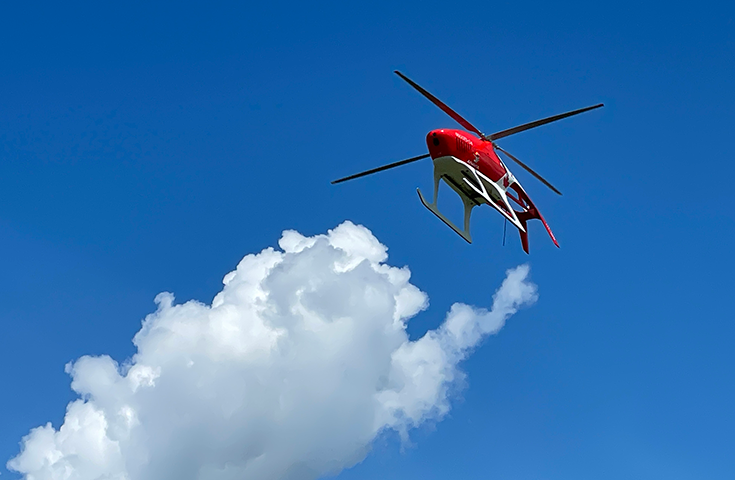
(470, 165)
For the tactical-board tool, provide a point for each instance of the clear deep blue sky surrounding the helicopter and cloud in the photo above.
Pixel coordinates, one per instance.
(149, 147)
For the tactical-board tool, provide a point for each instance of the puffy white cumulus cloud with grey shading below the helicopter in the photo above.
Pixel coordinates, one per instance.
(299, 363)
